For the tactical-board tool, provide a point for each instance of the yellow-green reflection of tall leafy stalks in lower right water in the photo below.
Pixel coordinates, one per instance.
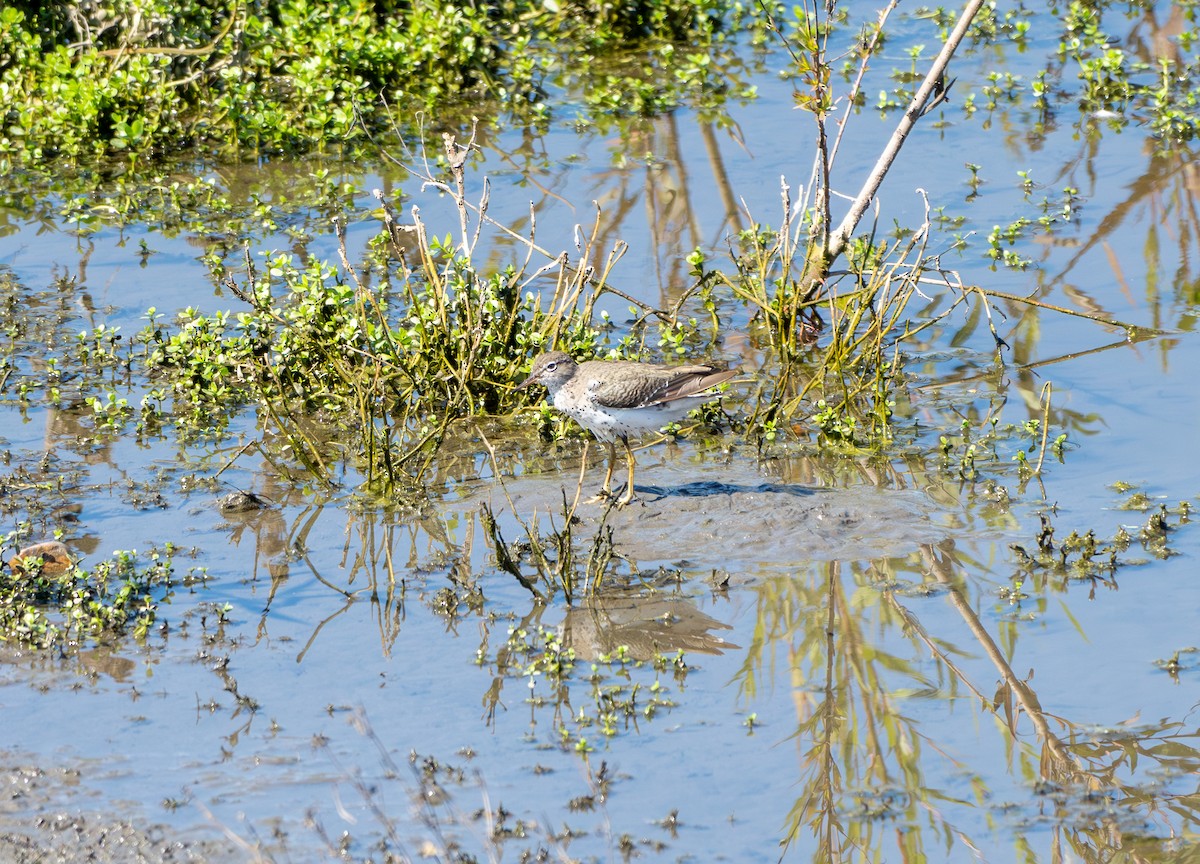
(865, 761)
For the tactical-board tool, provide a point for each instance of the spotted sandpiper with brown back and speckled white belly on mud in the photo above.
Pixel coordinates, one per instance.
(623, 399)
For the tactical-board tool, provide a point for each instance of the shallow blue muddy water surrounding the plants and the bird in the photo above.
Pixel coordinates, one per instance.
(867, 670)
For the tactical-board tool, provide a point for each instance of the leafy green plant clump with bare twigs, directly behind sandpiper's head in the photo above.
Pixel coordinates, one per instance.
(385, 357)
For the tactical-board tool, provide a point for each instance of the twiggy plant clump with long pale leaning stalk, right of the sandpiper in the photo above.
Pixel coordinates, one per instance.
(838, 307)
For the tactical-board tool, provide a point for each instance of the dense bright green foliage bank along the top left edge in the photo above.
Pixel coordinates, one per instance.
(145, 80)
